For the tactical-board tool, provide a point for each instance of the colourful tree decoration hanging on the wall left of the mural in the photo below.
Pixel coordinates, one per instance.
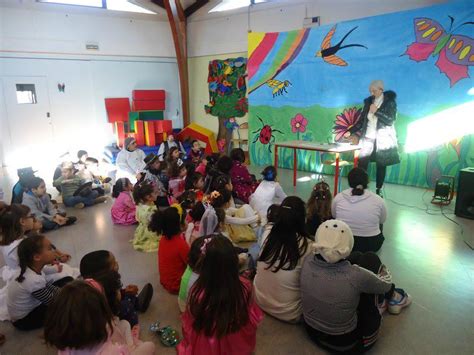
(227, 95)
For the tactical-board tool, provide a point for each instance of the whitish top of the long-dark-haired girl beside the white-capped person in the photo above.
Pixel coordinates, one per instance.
(278, 293)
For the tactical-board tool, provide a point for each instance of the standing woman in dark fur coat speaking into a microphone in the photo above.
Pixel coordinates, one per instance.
(378, 137)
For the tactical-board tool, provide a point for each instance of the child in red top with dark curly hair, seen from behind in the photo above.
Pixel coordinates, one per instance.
(173, 251)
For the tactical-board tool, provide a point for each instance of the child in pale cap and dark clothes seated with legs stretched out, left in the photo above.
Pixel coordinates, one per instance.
(70, 184)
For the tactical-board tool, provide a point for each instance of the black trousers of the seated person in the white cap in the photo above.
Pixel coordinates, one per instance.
(364, 336)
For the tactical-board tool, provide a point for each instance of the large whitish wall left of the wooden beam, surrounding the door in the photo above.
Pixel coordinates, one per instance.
(136, 52)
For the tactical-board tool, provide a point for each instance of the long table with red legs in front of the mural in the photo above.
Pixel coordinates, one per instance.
(334, 148)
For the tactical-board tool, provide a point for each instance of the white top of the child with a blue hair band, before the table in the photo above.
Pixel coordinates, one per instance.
(267, 193)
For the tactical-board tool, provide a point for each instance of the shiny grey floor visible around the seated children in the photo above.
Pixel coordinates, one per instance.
(426, 253)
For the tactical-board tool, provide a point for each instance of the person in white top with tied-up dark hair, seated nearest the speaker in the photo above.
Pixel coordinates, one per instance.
(362, 210)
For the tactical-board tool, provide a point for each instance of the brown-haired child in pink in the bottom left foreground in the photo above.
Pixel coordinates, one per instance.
(79, 321)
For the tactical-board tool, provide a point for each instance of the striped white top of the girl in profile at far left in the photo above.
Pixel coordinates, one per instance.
(20, 300)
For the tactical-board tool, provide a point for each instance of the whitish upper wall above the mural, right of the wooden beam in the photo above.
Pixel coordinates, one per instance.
(219, 33)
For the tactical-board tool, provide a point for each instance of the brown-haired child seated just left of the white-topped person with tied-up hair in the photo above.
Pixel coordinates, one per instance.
(318, 207)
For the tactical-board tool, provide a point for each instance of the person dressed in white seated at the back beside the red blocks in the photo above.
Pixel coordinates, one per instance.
(130, 160)
